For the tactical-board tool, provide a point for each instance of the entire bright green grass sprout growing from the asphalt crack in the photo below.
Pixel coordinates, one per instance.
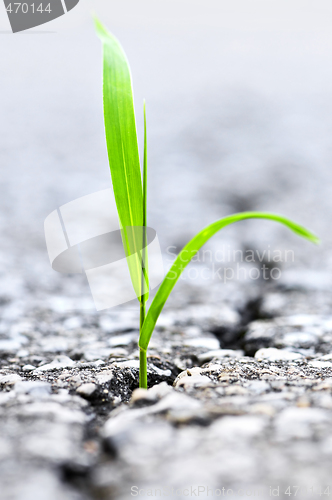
(130, 192)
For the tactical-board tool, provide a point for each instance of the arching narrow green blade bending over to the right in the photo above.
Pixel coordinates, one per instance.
(188, 252)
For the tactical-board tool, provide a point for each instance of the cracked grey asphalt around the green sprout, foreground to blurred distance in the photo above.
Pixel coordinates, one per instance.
(240, 373)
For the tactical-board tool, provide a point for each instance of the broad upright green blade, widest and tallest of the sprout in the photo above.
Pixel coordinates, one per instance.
(122, 148)
